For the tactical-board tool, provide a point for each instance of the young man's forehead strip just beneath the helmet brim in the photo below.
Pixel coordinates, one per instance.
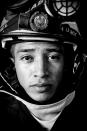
(35, 46)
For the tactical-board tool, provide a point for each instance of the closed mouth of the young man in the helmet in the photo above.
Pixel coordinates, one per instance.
(43, 87)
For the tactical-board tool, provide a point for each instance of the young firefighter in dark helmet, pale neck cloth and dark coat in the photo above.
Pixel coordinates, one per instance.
(38, 72)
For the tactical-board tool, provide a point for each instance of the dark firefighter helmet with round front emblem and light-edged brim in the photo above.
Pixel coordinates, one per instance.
(35, 24)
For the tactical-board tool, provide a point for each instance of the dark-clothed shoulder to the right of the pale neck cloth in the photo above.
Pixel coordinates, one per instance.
(73, 117)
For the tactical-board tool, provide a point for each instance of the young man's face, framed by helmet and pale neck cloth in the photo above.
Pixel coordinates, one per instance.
(39, 67)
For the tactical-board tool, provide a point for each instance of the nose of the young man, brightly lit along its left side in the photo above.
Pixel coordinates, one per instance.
(41, 68)
